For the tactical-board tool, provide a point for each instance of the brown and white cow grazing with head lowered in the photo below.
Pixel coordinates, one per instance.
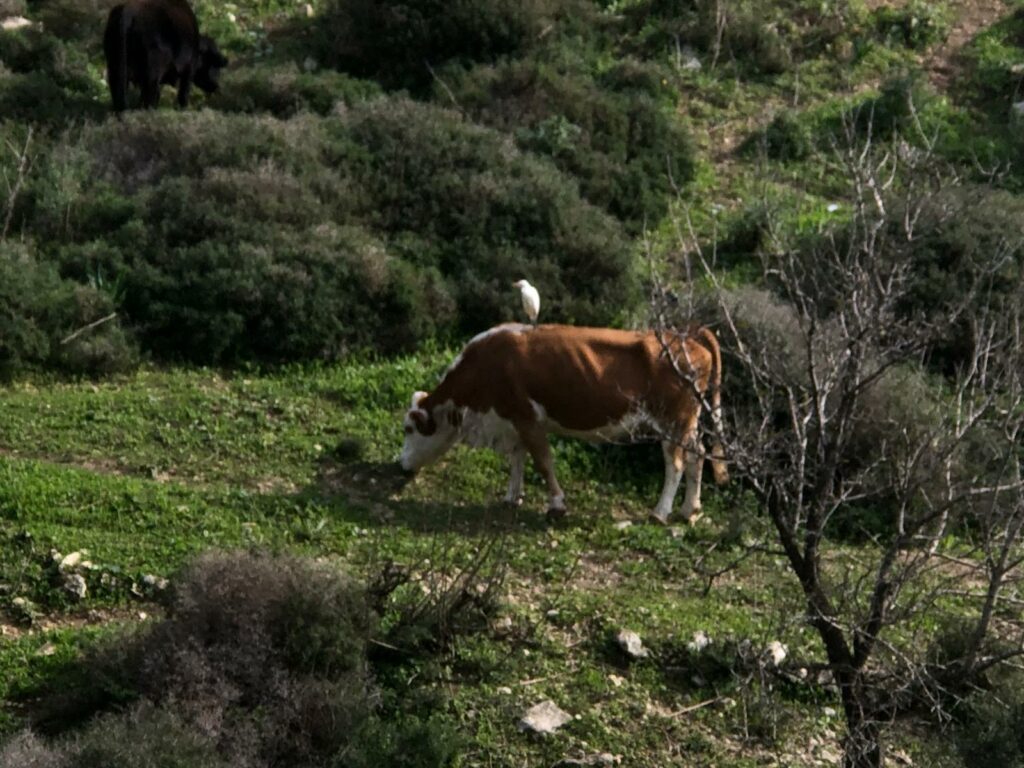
(515, 385)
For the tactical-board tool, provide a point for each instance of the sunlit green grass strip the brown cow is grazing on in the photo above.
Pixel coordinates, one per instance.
(143, 473)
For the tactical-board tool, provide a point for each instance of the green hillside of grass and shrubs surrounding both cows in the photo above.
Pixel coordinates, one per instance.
(283, 264)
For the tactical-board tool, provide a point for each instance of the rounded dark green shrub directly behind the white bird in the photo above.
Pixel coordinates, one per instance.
(491, 216)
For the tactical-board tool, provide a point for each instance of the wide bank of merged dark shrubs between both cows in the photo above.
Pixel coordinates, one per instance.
(228, 238)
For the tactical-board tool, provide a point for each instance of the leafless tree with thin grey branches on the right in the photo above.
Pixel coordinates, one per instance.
(830, 350)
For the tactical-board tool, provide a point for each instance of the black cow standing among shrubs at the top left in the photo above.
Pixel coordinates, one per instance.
(154, 44)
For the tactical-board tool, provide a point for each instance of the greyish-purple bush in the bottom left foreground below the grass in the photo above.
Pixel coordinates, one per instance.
(261, 662)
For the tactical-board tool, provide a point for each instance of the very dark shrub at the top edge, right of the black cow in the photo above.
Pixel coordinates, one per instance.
(397, 41)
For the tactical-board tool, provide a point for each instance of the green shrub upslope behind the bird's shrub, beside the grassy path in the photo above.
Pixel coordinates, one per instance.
(616, 135)
